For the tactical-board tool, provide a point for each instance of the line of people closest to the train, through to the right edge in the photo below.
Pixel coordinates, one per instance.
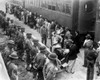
(64, 42)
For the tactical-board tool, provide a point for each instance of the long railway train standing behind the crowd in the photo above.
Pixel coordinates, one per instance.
(80, 15)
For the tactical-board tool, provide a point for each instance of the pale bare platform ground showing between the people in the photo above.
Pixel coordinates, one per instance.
(80, 71)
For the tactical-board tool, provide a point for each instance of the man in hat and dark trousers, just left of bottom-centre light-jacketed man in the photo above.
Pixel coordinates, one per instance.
(40, 61)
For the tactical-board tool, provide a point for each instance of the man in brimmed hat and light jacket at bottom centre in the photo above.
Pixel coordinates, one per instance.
(52, 67)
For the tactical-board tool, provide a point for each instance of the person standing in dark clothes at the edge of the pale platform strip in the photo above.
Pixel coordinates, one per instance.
(44, 34)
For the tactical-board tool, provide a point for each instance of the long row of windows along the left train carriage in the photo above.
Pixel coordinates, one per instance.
(56, 5)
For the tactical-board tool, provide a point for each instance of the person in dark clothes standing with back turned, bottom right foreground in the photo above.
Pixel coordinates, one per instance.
(91, 58)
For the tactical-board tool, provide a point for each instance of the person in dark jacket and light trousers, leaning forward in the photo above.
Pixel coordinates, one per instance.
(71, 56)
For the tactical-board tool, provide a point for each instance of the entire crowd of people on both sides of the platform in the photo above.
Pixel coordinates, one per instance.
(65, 46)
